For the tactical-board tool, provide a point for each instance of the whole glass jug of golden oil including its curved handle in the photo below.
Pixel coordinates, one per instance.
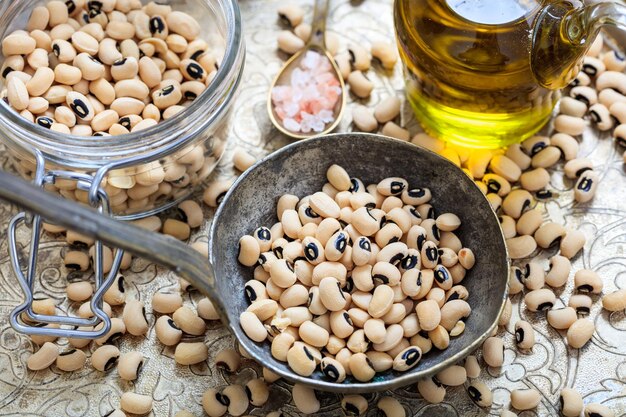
(485, 73)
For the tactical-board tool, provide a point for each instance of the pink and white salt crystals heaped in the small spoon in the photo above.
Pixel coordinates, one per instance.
(308, 103)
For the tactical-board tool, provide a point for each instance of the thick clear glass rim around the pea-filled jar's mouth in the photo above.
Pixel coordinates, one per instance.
(149, 144)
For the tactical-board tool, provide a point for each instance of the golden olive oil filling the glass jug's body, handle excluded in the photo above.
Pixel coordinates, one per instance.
(468, 69)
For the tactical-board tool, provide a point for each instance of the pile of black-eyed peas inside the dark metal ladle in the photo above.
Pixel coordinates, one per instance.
(356, 279)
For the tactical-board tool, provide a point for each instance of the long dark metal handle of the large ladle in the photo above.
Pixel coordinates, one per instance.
(160, 249)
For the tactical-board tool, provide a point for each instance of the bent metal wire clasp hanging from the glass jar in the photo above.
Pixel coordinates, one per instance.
(23, 319)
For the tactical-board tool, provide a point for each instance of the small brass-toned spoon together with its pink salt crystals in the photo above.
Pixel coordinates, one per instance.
(308, 96)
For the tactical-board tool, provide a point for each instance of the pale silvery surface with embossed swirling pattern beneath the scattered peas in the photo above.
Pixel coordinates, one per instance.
(598, 370)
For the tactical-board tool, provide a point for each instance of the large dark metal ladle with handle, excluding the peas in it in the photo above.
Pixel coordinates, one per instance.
(300, 169)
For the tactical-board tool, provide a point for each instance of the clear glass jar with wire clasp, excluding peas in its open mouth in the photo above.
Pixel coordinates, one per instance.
(152, 169)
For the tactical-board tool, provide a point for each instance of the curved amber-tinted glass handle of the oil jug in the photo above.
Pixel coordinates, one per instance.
(563, 32)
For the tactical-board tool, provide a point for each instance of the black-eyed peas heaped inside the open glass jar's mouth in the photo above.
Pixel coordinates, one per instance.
(105, 67)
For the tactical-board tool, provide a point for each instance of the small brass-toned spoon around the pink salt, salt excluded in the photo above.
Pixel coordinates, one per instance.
(316, 43)
